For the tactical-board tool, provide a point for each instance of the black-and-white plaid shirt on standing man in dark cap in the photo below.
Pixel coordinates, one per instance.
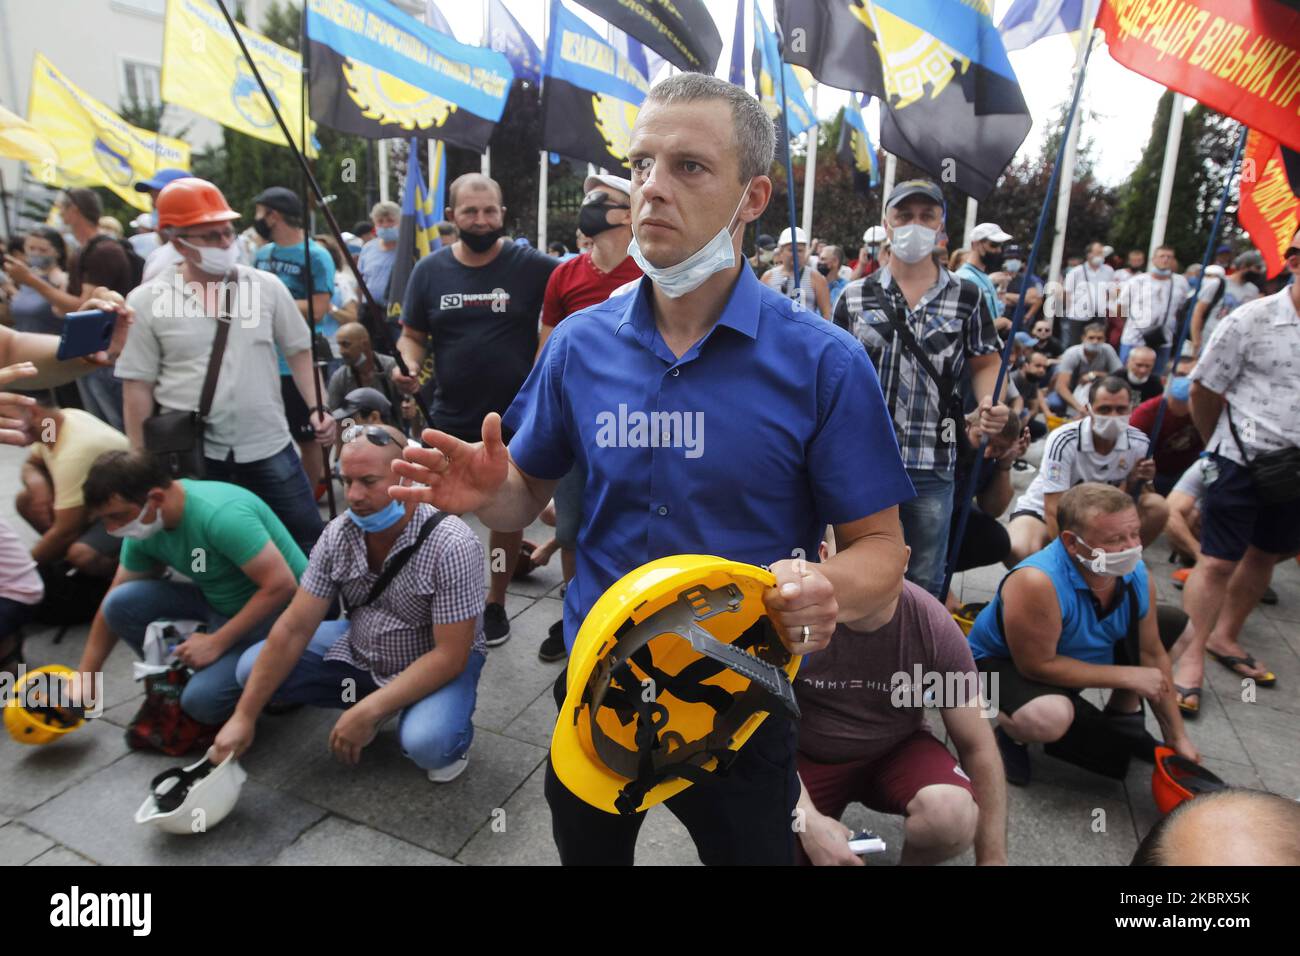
(951, 322)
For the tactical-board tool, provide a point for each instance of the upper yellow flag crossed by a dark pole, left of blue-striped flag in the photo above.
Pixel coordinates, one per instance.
(205, 71)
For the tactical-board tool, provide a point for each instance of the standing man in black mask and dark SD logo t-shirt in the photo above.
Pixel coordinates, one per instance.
(476, 305)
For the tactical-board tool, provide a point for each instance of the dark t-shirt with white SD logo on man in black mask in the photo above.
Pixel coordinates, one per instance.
(482, 323)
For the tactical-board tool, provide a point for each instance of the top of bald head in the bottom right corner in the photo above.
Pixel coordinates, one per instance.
(1232, 828)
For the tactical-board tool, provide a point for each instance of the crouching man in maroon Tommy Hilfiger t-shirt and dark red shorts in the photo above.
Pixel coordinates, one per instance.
(864, 738)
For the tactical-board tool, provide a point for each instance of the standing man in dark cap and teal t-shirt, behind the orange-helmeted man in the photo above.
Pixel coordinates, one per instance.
(279, 218)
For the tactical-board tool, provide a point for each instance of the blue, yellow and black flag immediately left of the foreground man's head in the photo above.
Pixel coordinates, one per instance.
(591, 94)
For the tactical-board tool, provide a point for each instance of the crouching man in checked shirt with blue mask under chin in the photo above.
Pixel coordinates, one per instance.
(413, 582)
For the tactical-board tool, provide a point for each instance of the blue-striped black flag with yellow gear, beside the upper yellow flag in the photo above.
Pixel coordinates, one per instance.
(378, 72)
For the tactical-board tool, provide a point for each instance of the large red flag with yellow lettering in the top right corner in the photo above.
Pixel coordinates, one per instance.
(1242, 59)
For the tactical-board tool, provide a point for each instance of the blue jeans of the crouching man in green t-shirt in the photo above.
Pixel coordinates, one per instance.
(213, 693)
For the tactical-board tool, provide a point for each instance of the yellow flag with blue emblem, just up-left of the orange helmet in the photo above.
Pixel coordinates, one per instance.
(96, 146)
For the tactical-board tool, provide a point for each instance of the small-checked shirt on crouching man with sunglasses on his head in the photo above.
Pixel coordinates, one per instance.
(443, 583)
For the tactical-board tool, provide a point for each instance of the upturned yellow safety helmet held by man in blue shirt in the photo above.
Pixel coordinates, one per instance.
(673, 672)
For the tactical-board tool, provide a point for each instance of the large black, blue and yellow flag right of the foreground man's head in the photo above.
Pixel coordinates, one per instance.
(951, 102)
